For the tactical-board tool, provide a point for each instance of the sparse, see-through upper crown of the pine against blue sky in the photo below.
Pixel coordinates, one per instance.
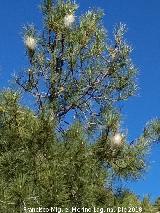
(76, 69)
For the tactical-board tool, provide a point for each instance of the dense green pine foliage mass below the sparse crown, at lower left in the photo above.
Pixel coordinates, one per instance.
(37, 168)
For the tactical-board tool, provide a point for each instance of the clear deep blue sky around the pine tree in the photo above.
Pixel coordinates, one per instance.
(143, 20)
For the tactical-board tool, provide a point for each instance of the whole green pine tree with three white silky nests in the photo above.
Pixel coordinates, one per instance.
(69, 149)
